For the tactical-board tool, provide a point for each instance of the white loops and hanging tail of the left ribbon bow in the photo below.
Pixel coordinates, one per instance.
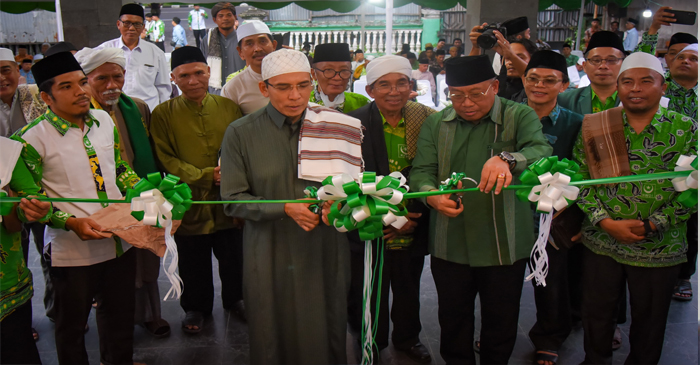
(157, 208)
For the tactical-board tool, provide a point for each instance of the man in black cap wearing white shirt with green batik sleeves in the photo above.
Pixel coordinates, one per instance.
(72, 152)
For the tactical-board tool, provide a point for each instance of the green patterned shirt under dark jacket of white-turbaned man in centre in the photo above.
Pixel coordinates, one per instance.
(397, 151)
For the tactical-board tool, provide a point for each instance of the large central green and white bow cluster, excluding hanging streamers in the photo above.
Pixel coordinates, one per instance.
(367, 206)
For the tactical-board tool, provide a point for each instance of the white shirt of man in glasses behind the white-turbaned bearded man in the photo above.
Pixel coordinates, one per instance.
(147, 74)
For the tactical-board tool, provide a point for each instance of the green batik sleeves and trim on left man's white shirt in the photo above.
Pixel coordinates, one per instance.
(125, 177)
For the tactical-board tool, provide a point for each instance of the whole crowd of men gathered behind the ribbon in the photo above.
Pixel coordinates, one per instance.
(238, 119)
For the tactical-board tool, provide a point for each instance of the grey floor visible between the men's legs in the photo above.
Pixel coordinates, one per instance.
(224, 340)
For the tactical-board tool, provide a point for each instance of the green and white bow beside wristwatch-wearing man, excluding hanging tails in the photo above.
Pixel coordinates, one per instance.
(551, 178)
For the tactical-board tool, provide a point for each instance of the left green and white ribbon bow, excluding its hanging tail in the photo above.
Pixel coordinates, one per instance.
(171, 199)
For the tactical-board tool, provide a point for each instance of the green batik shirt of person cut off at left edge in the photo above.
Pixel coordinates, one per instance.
(15, 279)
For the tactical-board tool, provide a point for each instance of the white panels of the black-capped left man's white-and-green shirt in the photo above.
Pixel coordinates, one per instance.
(67, 174)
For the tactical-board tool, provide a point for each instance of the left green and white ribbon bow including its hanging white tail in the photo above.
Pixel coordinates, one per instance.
(157, 201)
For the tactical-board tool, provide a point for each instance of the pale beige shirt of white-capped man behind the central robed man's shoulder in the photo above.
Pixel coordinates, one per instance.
(244, 91)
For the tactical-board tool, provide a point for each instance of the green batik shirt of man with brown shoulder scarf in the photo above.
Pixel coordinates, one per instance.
(655, 149)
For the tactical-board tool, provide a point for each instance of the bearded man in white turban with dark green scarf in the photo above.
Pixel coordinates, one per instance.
(105, 71)
